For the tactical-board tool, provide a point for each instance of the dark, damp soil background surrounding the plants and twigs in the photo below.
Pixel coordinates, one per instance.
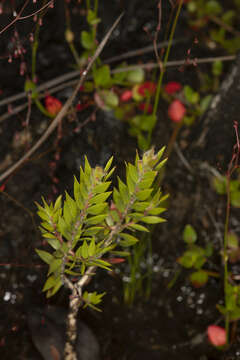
(172, 323)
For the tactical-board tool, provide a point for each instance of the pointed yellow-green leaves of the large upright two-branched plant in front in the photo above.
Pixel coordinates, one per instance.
(83, 228)
